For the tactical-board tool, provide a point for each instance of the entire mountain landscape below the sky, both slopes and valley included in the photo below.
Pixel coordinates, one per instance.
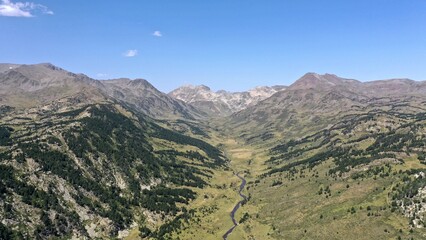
(323, 158)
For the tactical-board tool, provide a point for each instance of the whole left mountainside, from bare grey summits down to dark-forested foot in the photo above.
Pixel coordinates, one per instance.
(79, 161)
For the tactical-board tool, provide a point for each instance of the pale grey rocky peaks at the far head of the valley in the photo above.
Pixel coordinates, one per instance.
(222, 102)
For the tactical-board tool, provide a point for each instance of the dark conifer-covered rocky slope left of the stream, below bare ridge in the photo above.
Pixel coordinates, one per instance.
(96, 170)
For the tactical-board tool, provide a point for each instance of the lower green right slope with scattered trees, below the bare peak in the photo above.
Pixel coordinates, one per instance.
(362, 178)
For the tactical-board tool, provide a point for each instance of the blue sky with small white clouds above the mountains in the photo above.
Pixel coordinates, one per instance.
(225, 44)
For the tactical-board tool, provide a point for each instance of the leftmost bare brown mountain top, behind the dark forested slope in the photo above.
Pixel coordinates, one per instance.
(32, 85)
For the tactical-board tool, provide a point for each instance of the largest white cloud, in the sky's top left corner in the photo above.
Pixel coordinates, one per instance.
(22, 9)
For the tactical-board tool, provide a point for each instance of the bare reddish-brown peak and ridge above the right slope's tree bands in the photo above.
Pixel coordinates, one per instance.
(315, 101)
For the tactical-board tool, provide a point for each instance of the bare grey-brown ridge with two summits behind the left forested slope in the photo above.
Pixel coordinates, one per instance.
(32, 85)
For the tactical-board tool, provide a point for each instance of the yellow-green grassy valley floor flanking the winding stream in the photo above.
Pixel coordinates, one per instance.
(215, 202)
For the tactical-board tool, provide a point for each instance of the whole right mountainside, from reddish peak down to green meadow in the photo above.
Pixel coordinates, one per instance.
(334, 158)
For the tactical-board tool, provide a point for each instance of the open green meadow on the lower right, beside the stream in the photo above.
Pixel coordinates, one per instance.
(354, 209)
